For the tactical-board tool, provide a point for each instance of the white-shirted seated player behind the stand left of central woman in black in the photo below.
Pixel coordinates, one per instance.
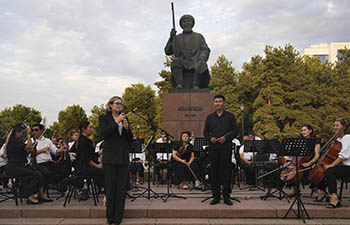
(161, 165)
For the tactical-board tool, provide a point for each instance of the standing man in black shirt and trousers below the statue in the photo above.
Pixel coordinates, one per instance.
(220, 128)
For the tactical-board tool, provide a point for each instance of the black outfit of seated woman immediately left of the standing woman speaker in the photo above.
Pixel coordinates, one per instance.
(85, 154)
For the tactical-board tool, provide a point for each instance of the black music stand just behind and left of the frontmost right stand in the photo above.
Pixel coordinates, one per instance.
(272, 146)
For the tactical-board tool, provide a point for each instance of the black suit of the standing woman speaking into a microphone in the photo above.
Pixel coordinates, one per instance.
(115, 163)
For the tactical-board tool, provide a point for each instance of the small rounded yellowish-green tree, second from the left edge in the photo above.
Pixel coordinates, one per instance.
(68, 120)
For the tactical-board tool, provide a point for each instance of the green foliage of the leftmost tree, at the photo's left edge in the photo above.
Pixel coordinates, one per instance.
(18, 114)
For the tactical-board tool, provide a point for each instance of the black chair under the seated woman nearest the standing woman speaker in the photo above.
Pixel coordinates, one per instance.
(75, 183)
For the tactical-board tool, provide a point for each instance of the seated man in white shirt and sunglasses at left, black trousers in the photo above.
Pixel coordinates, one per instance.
(45, 150)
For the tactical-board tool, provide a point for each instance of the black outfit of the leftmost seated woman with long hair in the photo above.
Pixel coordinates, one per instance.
(31, 179)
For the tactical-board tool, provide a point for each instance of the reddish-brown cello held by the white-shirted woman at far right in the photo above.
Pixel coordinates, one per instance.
(329, 152)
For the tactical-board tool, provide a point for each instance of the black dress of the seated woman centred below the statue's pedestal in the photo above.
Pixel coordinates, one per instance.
(180, 170)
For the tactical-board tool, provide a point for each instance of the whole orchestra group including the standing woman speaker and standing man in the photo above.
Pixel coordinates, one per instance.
(29, 155)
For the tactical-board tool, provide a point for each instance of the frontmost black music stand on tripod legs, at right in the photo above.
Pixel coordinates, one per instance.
(297, 147)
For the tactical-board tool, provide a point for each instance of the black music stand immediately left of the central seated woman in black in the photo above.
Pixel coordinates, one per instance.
(166, 148)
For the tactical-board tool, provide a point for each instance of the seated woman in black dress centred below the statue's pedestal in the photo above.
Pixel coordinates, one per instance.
(183, 157)
